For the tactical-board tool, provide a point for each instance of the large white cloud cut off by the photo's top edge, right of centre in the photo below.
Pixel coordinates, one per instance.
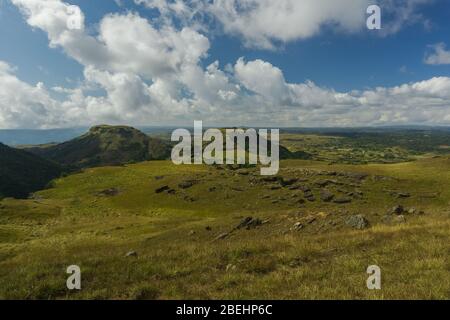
(265, 23)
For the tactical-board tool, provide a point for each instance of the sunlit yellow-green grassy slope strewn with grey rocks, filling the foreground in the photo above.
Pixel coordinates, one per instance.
(73, 224)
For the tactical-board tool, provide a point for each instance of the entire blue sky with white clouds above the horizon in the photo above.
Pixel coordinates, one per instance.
(286, 63)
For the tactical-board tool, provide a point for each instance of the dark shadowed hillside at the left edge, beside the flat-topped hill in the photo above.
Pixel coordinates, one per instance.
(22, 172)
